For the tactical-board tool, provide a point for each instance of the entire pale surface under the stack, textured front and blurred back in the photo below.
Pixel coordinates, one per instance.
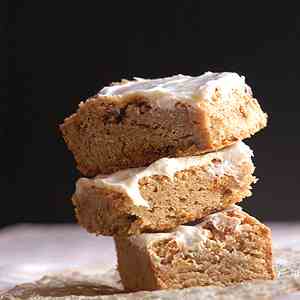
(64, 262)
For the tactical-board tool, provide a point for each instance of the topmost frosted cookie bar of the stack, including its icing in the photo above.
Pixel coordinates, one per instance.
(134, 123)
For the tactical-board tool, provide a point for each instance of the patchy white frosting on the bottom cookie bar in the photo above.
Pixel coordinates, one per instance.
(193, 237)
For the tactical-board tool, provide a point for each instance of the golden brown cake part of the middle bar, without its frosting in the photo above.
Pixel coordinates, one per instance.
(192, 195)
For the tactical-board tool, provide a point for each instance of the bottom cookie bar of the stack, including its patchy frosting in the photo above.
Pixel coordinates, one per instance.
(224, 248)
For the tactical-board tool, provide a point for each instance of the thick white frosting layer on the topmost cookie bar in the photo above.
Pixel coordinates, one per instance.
(182, 86)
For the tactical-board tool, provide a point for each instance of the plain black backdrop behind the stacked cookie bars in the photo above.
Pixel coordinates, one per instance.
(62, 52)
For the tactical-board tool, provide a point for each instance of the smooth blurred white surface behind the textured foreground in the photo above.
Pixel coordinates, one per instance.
(28, 252)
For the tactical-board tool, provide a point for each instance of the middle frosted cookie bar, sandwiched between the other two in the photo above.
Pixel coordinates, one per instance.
(169, 192)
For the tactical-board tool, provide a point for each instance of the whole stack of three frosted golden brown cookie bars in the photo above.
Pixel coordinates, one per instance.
(165, 166)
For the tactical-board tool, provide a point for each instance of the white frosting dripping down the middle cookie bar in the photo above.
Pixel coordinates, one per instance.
(127, 181)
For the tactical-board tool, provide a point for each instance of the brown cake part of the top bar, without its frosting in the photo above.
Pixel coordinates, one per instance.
(109, 133)
